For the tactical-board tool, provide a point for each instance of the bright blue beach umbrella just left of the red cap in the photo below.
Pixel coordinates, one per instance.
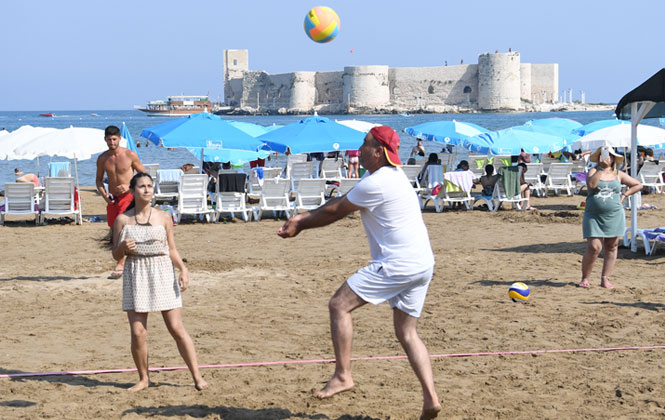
(313, 134)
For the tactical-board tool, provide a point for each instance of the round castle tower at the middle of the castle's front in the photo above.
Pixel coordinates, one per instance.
(366, 86)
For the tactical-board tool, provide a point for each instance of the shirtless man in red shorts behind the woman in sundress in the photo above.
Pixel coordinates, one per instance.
(119, 164)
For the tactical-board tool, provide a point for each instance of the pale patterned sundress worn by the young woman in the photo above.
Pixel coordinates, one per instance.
(149, 283)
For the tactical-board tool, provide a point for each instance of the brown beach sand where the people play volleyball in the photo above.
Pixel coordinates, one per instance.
(255, 297)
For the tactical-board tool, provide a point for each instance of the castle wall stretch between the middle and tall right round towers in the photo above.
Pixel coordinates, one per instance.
(445, 85)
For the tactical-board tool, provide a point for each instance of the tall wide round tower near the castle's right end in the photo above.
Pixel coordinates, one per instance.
(499, 81)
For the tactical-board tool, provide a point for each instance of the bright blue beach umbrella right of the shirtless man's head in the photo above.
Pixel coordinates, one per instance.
(201, 130)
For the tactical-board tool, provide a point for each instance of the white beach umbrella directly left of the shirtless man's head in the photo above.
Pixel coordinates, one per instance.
(73, 143)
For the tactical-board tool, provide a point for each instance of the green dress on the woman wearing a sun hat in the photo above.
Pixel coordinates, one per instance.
(604, 216)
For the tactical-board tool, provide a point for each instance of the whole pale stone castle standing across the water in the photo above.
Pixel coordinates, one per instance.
(499, 82)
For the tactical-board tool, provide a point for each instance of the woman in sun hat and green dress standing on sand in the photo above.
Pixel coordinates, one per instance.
(604, 217)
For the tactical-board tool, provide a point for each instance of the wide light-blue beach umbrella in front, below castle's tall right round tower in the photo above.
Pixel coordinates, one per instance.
(511, 141)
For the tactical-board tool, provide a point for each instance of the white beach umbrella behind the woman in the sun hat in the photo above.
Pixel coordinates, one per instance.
(619, 136)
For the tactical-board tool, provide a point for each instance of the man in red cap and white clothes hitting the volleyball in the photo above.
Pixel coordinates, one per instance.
(400, 269)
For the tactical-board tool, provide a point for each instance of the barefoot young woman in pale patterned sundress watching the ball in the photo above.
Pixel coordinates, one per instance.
(144, 235)
